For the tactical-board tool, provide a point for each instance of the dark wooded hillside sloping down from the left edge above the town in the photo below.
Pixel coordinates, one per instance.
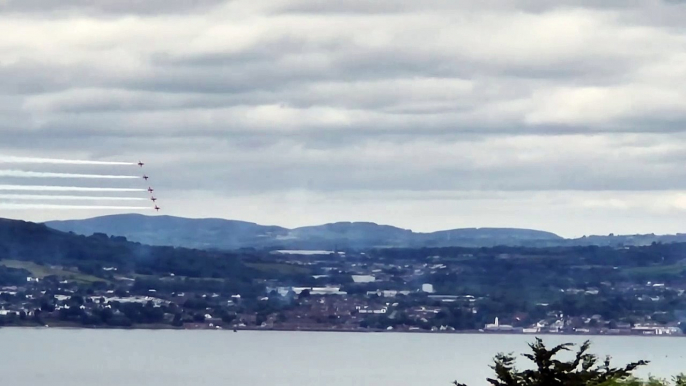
(26, 241)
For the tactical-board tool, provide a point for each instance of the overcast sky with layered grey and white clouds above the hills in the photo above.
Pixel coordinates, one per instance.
(567, 116)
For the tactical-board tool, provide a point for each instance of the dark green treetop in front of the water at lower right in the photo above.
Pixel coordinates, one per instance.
(584, 370)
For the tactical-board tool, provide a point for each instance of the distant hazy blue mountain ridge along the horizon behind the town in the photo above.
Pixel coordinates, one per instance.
(230, 234)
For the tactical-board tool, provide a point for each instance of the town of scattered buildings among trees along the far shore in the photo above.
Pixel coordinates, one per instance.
(486, 290)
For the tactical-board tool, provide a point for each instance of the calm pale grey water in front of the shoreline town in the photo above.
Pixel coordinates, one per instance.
(62, 357)
